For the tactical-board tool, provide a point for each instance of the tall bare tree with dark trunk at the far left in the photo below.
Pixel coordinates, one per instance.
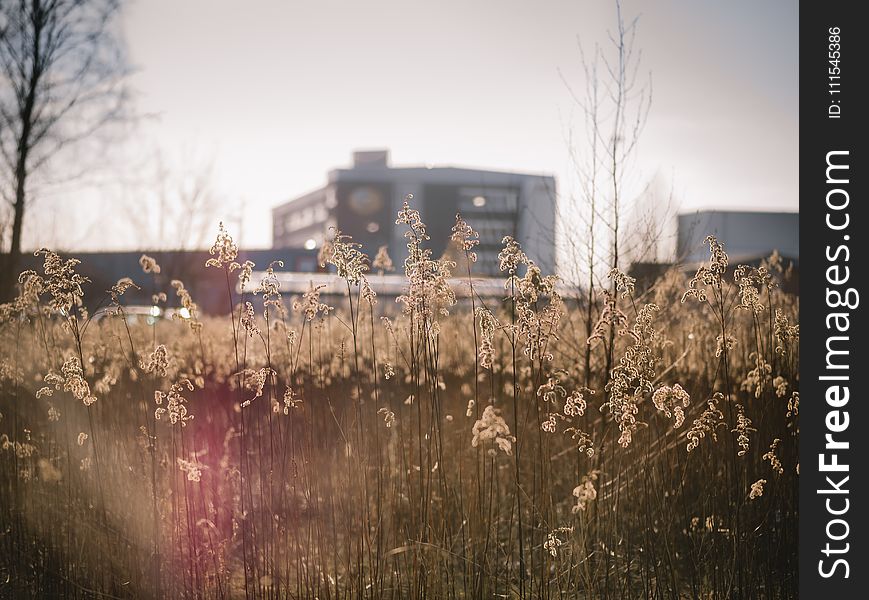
(61, 79)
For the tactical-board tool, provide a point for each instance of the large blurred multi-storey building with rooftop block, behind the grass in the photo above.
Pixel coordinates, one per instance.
(362, 201)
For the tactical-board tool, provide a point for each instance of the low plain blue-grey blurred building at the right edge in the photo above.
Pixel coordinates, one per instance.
(746, 235)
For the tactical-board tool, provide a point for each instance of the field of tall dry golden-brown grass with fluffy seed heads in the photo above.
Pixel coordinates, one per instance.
(444, 445)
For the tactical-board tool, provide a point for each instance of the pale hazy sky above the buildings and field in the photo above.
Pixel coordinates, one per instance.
(254, 102)
